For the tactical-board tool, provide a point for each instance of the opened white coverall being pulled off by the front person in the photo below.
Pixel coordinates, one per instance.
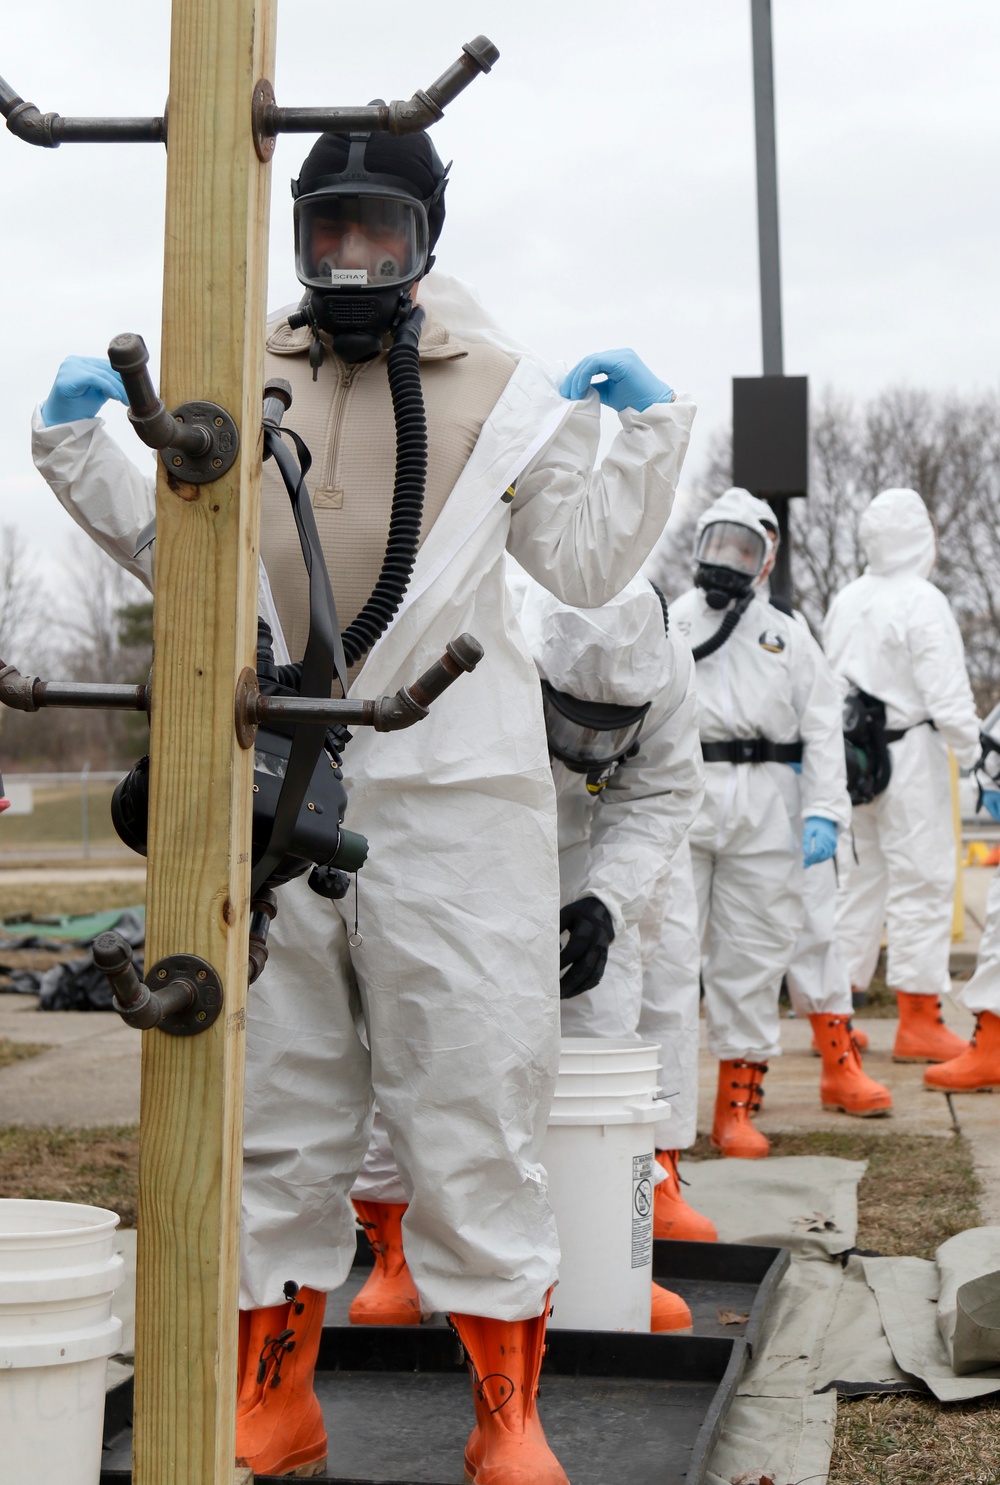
(457, 979)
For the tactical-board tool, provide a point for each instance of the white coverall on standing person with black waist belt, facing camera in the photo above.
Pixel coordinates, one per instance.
(769, 679)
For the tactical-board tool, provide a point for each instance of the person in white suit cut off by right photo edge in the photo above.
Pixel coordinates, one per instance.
(977, 1068)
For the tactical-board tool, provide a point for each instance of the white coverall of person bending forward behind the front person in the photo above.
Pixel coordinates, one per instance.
(620, 846)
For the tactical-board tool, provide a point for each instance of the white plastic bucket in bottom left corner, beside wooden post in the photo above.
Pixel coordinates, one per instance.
(59, 1272)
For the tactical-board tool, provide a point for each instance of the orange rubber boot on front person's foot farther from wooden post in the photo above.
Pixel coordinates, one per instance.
(507, 1446)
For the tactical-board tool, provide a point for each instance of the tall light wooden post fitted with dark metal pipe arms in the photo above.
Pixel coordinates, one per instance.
(204, 627)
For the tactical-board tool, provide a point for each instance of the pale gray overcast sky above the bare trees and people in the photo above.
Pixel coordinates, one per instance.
(603, 195)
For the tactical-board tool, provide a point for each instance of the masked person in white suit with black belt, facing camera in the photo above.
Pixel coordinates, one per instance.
(767, 700)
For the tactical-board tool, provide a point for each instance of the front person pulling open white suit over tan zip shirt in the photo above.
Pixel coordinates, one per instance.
(457, 975)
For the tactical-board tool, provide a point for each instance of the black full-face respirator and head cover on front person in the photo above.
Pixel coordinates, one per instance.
(363, 240)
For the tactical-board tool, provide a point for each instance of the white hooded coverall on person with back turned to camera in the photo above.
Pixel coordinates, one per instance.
(894, 635)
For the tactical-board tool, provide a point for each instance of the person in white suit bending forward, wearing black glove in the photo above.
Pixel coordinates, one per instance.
(625, 812)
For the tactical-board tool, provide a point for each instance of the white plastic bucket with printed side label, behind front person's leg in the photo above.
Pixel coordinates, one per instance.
(600, 1156)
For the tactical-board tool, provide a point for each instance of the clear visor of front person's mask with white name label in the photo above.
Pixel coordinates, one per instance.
(360, 241)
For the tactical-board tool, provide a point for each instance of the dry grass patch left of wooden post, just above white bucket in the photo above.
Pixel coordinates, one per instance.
(94, 1166)
